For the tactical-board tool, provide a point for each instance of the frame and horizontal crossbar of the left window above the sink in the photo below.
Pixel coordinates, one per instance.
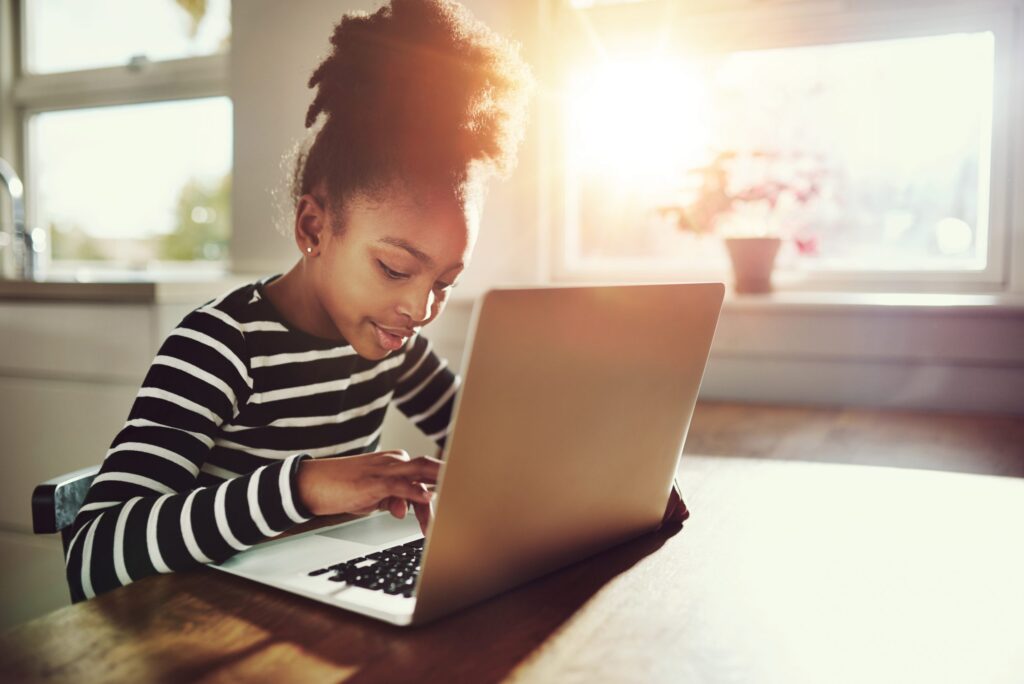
(25, 95)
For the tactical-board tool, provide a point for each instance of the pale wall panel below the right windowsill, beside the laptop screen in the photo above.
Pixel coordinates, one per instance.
(931, 355)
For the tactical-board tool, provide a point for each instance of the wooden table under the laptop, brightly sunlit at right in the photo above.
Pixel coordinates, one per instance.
(788, 572)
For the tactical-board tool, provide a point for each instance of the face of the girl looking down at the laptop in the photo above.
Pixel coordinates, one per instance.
(391, 269)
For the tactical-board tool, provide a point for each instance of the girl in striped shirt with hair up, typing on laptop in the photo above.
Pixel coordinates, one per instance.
(264, 408)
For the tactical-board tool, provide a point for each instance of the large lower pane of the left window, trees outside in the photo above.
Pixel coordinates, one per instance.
(135, 185)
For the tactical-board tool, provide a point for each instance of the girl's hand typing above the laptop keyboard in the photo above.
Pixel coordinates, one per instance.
(363, 484)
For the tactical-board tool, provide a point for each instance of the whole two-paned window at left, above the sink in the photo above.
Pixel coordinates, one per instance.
(123, 129)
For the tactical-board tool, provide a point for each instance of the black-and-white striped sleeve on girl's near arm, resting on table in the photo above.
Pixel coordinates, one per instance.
(145, 512)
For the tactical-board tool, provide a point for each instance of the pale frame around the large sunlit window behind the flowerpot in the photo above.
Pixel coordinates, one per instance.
(781, 24)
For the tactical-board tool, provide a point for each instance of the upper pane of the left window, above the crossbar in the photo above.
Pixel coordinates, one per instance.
(72, 35)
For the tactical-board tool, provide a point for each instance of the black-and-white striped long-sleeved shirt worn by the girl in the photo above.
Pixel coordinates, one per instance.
(205, 465)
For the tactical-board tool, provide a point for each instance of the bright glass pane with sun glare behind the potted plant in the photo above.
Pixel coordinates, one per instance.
(874, 155)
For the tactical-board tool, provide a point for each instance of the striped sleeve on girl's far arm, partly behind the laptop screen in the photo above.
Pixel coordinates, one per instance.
(426, 391)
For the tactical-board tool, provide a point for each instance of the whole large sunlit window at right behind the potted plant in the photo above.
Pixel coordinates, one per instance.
(870, 141)
